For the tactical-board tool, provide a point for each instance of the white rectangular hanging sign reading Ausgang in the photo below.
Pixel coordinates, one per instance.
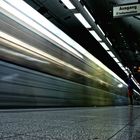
(126, 10)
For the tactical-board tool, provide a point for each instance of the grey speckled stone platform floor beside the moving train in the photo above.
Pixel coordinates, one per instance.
(86, 123)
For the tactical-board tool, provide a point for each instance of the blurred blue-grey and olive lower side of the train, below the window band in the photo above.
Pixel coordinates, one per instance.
(23, 87)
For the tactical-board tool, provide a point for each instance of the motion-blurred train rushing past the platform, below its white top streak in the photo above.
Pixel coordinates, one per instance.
(37, 71)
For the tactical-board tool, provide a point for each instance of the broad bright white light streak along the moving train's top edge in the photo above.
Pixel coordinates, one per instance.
(39, 24)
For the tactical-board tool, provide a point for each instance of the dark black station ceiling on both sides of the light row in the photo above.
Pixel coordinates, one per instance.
(124, 33)
